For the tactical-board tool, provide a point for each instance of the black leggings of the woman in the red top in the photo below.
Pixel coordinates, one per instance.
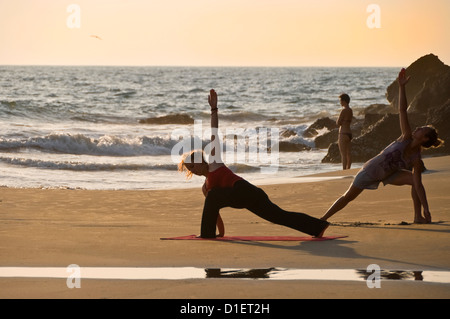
(245, 195)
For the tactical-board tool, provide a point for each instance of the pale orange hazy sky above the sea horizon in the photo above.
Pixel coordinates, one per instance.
(223, 32)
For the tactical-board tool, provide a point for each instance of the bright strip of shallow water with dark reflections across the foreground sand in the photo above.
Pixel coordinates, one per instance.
(182, 273)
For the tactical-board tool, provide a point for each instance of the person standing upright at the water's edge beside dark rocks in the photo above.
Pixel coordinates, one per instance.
(345, 132)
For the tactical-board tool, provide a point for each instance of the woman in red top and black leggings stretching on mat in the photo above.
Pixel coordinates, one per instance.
(223, 188)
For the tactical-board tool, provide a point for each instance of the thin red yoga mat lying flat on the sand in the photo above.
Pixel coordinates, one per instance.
(256, 238)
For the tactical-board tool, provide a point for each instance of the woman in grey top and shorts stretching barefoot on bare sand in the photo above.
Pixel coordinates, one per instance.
(394, 164)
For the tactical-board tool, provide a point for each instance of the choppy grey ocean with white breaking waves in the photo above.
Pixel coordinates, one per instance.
(85, 127)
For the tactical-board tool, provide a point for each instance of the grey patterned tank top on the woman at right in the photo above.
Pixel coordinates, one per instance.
(390, 160)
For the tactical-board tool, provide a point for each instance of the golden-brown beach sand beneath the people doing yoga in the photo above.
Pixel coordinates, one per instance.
(57, 228)
